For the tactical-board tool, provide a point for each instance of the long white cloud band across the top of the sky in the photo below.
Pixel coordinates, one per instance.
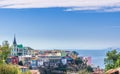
(104, 5)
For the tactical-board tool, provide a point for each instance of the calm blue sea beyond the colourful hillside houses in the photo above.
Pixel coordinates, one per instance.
(96, 55)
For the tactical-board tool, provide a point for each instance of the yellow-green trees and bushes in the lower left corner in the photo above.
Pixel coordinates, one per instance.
(8, 68)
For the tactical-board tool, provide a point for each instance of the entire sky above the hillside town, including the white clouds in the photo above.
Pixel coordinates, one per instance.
(61, 24)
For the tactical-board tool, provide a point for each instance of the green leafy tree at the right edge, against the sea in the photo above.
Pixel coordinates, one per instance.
(112, 60)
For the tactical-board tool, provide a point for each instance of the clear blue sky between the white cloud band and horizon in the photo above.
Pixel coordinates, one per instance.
(49, 28)
